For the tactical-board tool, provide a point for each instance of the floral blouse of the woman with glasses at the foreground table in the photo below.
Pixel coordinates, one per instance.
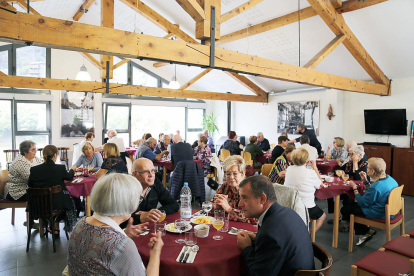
(233, 200)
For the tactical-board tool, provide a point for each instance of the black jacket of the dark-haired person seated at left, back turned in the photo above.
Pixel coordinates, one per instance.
(49, 174)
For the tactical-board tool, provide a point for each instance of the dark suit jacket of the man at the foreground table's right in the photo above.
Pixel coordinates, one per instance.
(283, 245)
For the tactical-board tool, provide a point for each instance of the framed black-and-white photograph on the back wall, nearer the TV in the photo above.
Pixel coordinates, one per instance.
(292, 114)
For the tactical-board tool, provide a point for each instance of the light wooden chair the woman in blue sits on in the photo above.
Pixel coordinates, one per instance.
(394, 206)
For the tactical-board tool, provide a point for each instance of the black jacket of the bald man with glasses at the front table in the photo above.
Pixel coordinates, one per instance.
(157, 194)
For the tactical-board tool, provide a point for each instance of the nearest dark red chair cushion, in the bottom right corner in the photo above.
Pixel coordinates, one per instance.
(384, 264)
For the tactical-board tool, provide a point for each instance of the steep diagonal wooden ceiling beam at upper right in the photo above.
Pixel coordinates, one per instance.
(337, 24)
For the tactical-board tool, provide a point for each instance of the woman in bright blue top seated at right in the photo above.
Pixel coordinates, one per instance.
(372, 203)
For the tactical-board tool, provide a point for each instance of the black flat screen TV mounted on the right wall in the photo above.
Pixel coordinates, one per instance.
(385, 121)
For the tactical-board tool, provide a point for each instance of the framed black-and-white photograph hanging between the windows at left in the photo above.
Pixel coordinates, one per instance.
(76, 113)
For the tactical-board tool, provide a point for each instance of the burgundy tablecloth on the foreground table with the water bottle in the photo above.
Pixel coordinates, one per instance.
(217, 258)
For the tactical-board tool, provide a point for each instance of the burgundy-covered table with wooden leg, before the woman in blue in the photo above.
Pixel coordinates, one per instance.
(335, 190)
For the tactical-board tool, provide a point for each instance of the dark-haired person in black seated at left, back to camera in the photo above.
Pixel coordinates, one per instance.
(49, 174)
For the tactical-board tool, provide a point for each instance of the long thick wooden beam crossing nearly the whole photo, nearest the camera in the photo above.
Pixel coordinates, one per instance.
(75, 36)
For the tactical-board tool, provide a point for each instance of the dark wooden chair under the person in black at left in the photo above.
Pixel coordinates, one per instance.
(40, 206)
